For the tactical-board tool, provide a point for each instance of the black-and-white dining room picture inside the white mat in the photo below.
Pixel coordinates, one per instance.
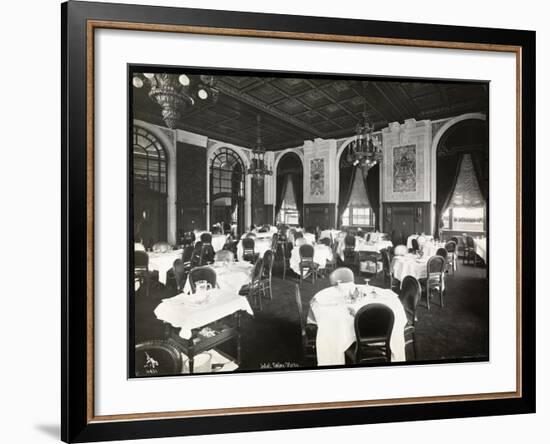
(283, 221)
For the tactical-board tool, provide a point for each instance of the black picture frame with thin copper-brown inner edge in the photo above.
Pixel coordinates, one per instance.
(78, 423)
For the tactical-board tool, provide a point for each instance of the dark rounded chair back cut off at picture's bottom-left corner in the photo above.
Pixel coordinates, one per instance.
(159, 357)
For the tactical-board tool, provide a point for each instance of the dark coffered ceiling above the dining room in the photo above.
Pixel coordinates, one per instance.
(297, 109)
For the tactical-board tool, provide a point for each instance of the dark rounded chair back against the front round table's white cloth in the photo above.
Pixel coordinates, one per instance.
(374, 323)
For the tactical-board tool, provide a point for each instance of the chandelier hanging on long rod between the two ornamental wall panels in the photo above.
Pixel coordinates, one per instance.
(364, 150)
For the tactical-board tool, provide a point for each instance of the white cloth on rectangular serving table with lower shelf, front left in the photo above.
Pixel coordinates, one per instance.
(222, 303)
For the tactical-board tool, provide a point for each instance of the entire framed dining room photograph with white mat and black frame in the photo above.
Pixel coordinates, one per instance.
(277, 221)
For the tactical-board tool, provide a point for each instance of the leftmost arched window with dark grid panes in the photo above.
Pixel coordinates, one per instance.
(149, 160)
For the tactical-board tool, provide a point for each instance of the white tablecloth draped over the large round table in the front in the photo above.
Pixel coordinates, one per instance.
(335, 322)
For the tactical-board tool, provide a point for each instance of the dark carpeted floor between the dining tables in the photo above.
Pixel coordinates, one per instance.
(271, 339)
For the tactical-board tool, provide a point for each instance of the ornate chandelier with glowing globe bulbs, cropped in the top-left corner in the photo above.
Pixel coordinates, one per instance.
(175, 92)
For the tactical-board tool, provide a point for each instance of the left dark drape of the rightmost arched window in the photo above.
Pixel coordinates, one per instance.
(448, 168)
